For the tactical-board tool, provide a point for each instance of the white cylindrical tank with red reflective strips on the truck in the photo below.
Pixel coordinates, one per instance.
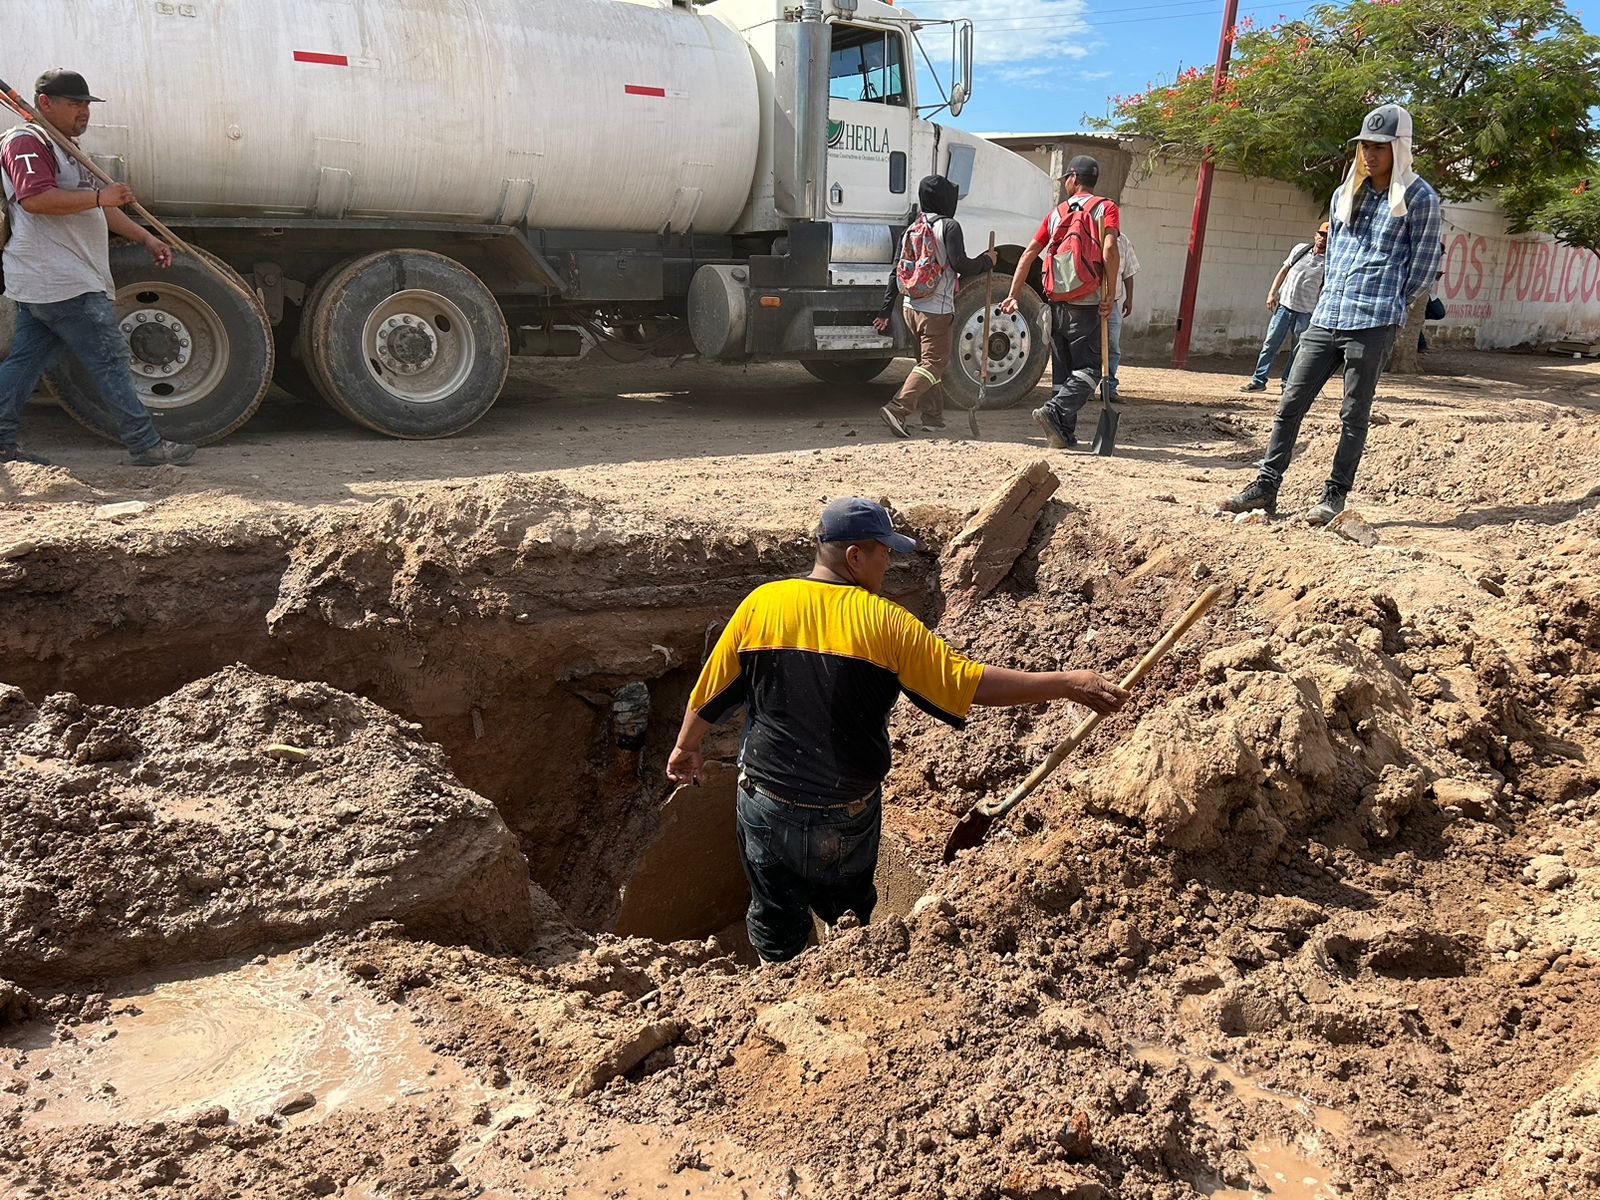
(562, 114)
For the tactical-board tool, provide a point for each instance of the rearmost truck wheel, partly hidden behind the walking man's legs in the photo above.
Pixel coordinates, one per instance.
(202, 353)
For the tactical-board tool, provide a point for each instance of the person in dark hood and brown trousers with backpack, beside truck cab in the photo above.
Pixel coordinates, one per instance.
(932, 318)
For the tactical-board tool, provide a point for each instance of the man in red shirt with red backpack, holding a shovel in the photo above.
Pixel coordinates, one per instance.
(1079, 242)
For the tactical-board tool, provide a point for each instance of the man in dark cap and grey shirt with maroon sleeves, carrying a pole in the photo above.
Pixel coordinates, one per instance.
(58, 271)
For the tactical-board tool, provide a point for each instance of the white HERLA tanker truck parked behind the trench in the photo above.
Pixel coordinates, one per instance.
(414, 191)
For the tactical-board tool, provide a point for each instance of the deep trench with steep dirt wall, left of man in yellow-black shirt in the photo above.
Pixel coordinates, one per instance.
(553, 678)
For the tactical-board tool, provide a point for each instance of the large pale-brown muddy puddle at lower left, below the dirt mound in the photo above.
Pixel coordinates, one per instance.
(249, 1038)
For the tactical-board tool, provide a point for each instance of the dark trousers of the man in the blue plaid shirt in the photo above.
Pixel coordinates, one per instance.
(1321, 353)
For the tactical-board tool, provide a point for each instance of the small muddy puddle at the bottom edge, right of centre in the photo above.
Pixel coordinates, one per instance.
(1289, 1172)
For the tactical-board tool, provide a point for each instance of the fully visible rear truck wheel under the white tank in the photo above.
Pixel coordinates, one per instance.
(409, 343)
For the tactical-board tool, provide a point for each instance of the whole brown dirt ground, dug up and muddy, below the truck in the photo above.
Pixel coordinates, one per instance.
(337, 857)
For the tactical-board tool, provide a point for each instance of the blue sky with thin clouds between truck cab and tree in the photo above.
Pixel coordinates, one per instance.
(1042, 65)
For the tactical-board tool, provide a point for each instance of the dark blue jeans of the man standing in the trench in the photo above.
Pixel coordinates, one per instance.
(802, 862)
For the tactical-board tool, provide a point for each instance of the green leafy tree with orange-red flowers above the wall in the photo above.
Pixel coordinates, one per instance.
(1502, 94)
